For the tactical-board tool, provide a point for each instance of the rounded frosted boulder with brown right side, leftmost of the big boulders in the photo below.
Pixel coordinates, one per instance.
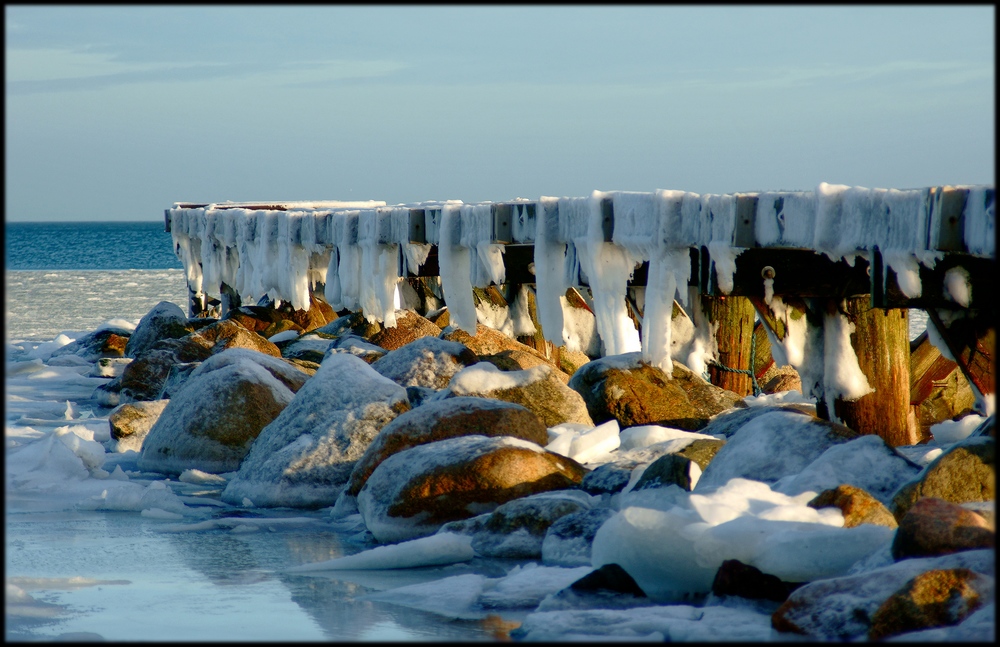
(213, 420)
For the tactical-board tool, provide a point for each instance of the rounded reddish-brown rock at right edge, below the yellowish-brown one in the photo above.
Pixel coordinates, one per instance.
(936, 527)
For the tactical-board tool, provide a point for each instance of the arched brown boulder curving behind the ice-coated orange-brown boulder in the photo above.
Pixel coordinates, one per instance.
(449, 418)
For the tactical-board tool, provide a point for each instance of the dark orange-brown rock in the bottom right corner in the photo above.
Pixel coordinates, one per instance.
(938, 598)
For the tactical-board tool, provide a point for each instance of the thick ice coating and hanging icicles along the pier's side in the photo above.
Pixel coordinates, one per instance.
(360, 250)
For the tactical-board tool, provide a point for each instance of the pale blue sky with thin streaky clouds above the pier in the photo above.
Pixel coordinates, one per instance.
(117, 112)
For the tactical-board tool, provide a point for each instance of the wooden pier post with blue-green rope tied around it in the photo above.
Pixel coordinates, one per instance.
(734, 316)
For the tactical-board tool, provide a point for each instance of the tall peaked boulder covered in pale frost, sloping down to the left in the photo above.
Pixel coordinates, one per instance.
(305, 456)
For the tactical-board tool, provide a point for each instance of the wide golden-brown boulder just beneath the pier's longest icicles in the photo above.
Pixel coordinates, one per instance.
(633, 393)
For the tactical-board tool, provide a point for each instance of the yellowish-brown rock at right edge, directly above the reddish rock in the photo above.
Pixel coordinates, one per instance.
(963, 473)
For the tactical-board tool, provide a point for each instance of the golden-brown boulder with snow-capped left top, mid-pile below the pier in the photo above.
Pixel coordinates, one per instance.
(545, 395)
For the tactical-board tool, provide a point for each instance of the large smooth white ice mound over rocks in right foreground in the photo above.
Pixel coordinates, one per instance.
(674, 552)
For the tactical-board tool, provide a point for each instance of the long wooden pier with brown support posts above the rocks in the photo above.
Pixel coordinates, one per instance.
(809, 282)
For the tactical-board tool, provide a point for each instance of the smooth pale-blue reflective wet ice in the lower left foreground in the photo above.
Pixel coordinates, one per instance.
(115, 575)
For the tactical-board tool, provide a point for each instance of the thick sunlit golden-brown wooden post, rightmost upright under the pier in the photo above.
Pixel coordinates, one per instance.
(881, 341)
